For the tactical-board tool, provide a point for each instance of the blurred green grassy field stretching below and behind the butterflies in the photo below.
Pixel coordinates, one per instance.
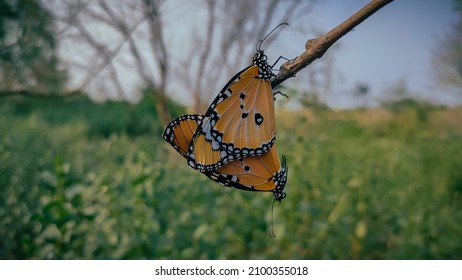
(86, 181)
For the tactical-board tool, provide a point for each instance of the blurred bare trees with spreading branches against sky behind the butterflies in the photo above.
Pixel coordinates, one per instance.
(136, 39)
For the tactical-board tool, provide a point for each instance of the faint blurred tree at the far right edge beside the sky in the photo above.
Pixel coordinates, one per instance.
(448, 58)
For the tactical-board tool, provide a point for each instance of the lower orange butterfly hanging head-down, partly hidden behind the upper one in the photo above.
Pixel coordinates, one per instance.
(258, 173)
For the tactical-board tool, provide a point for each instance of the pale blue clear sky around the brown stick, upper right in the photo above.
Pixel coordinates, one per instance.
(395, 43)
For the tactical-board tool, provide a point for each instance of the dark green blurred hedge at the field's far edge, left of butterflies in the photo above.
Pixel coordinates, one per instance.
(100, 119)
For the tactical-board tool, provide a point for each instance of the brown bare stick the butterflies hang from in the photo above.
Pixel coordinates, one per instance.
(315, 48)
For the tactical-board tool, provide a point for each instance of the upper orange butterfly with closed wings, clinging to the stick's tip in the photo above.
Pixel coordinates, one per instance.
(240, 121)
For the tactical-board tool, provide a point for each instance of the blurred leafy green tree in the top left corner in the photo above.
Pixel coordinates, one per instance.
(28, 61)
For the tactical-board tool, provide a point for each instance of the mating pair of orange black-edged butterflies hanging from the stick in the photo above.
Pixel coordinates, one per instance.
(233, 143)
